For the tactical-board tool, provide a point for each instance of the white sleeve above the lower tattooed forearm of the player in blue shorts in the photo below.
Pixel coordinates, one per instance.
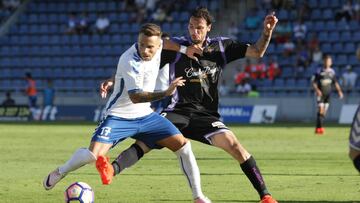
(131, 73)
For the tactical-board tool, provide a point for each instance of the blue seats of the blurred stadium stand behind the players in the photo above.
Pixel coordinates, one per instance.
(37, 42)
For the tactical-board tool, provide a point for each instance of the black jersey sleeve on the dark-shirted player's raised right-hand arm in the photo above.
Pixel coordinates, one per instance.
(234, 49)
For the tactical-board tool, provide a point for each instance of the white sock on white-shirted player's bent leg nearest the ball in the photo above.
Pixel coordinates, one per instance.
(81, 157)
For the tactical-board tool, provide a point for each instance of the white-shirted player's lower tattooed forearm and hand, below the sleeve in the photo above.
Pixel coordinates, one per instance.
(141, 96)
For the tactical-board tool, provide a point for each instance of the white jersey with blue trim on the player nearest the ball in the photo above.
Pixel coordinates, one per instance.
(133, 74)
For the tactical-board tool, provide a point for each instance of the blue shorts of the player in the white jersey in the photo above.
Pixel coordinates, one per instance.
(149, 129)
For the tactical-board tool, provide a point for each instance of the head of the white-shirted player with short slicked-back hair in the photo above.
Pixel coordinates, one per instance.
(149, 40)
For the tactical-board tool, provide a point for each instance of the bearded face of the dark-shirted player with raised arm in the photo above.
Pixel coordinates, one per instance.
(198, 30)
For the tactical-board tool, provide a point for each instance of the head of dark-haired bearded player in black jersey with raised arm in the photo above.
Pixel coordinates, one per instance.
(199, 25)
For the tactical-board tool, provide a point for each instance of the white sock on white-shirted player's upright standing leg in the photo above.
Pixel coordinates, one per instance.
(190, 169)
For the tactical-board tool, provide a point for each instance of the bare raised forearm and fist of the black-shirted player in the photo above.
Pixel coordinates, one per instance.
(258, 49)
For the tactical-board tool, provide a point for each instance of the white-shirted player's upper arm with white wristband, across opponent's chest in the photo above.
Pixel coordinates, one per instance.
(190, 51)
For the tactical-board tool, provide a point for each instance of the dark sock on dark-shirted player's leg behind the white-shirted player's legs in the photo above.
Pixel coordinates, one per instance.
(128, 161)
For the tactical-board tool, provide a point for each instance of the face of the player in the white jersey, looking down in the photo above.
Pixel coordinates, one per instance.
(148, 46)
